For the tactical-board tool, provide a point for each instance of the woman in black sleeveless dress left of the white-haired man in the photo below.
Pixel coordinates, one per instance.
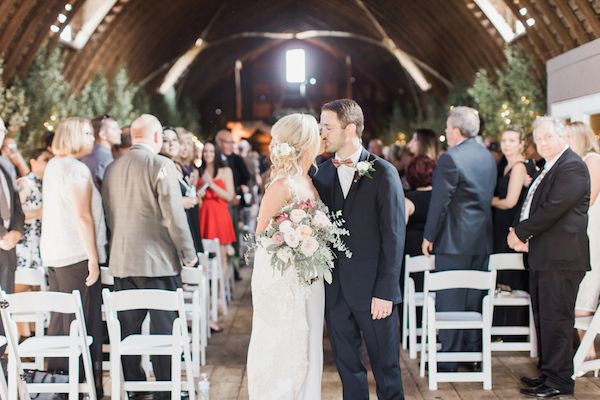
(509, 195)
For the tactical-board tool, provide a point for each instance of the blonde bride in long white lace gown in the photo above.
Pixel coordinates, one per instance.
(285, 356)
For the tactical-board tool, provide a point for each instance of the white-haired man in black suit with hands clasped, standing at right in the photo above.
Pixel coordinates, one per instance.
(553, 228)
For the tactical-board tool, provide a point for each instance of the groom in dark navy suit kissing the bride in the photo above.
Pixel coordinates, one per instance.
(361, 300)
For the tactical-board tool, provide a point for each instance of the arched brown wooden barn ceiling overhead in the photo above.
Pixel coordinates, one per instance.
(449, 39)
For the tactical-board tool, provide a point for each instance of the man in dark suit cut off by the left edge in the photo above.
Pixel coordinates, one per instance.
(12, 221)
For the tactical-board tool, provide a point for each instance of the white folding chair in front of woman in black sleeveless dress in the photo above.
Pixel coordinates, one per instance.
(516, 298)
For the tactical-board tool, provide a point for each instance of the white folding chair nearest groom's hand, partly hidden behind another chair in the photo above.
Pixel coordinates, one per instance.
(412, 300)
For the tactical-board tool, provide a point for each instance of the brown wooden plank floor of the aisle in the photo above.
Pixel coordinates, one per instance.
(226, 364)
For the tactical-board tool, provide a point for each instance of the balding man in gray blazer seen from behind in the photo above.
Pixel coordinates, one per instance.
(151, 238)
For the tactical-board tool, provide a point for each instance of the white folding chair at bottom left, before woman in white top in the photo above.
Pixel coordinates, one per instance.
(73, 346)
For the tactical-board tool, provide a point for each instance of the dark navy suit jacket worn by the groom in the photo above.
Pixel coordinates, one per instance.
(374, 215)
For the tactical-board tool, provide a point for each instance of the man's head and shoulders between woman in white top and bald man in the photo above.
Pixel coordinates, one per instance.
(106, 135)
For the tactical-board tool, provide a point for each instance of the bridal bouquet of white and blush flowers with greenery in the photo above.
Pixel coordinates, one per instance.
(302, 236)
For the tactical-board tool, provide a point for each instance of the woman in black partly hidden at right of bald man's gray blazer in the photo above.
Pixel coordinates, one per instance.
(170, 149)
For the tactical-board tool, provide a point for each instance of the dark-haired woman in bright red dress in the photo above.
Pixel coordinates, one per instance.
(217, 191)
